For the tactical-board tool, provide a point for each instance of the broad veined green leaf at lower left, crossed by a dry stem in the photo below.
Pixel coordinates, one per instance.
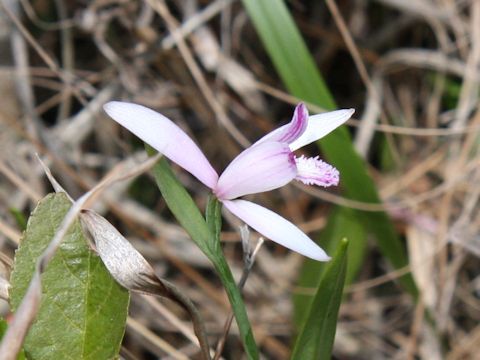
(83, 310)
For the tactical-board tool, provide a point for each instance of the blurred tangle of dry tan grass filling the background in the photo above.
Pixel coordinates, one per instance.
(413, 65)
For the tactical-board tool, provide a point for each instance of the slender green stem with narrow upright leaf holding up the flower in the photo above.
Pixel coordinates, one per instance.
(188, 215)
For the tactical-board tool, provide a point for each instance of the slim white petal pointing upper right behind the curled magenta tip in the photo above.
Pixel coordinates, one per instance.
(320, 125)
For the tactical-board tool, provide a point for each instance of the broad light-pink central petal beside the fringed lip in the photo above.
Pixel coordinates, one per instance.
(259, 168)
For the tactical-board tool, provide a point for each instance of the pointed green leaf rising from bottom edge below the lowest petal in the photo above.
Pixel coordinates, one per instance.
(317, 335)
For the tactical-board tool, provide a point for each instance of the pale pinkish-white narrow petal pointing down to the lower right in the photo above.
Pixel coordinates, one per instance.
(276, 228)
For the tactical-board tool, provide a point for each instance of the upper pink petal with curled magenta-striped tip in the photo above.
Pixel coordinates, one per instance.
(291, 131)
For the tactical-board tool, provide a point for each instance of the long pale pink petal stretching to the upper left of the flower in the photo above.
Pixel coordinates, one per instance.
(164, 136)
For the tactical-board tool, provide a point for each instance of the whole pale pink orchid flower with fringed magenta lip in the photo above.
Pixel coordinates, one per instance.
(266, 165)
